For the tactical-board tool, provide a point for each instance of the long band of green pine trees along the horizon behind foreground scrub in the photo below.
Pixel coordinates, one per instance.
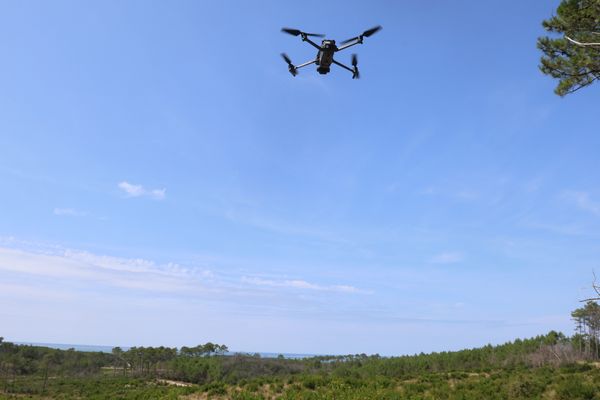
(208, 363)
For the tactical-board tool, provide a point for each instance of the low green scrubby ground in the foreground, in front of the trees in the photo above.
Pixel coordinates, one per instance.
(567, 383)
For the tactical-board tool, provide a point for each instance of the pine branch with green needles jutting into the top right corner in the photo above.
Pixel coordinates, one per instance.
(575, 66)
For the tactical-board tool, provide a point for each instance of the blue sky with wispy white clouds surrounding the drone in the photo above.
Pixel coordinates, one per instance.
(165, 181)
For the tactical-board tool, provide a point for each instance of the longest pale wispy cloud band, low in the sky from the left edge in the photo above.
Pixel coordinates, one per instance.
(31, 265)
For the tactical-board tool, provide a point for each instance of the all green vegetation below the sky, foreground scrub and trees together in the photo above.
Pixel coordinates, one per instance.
(551, 366)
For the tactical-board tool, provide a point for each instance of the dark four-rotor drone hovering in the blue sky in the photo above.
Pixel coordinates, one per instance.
(326, 51)
